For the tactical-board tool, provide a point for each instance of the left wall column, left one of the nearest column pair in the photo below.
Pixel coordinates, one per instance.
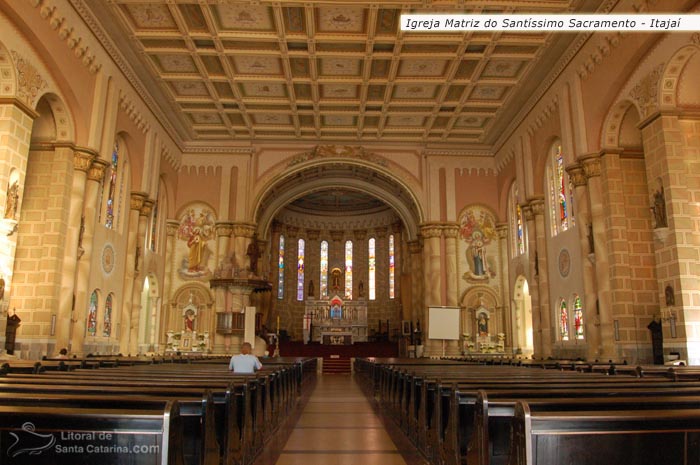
(81, 164)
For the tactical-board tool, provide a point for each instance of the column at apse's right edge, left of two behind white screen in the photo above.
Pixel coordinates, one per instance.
(432, 281)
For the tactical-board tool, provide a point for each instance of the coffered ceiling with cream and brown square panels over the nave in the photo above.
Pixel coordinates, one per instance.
(324, 71)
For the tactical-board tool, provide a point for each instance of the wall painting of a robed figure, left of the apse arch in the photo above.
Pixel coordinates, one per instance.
(195, 235)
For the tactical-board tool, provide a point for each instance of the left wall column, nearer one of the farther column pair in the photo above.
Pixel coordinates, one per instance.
(136, 204)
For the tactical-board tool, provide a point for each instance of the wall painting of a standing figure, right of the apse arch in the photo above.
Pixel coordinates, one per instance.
(478, 229)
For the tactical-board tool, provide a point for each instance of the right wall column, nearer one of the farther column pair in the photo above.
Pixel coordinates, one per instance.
(537, 206)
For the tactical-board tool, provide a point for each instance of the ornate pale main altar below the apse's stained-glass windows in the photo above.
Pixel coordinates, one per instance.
(334, 321)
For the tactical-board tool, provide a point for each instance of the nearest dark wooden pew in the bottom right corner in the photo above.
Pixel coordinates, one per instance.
(641, 437)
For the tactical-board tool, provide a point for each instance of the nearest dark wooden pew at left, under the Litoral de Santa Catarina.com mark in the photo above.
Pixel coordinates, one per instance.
(68, 435)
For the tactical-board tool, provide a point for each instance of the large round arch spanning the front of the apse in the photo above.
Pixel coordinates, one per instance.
(327, 173)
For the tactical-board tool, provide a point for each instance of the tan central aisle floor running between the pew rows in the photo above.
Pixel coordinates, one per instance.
(339, 427)
